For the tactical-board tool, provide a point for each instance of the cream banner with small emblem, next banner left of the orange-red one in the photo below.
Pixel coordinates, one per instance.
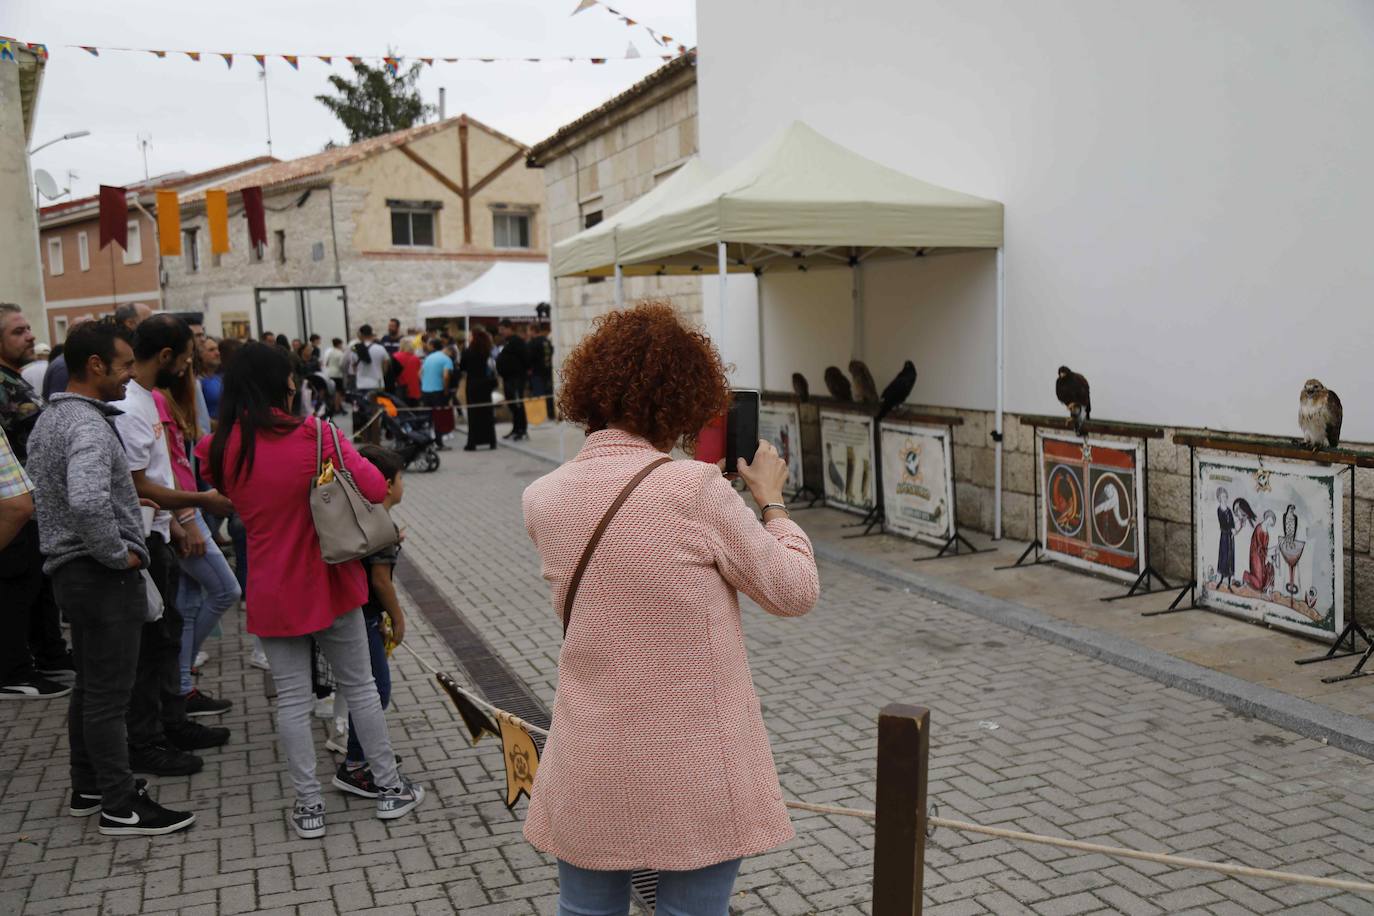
(917, 481)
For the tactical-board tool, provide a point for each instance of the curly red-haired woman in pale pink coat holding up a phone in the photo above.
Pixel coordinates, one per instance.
(659, 756)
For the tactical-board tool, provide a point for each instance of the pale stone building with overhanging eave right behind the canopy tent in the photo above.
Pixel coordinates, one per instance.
(600, 164)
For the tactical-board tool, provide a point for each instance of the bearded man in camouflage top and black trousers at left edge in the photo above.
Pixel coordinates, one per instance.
(31, 615)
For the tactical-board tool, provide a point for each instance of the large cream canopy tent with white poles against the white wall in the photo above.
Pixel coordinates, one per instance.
(803, 201)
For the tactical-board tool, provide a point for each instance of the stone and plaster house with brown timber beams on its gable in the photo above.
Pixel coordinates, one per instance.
(374, 229)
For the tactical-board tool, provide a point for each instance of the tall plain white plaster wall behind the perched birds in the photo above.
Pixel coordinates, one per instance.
(1188, 185)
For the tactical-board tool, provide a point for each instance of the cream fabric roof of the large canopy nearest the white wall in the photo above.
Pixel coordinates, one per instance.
(802, 192)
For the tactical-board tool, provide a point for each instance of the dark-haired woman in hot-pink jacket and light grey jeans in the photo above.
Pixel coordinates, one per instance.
(266, 458)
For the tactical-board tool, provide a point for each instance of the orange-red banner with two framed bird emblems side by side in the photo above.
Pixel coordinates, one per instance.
(1093, 510)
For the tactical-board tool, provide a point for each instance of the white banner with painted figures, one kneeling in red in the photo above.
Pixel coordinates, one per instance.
(1269, 542)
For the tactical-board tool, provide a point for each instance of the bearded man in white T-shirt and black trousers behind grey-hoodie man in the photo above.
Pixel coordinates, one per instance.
(160, 733)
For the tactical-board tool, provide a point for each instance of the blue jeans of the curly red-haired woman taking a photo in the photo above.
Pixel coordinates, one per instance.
(704, 892)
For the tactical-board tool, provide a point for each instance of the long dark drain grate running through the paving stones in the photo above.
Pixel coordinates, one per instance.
(487, 671)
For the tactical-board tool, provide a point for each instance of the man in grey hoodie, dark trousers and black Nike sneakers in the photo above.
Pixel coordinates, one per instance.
(91, 534)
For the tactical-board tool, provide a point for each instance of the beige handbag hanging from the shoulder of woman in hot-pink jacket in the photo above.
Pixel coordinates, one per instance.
(348, 525)
